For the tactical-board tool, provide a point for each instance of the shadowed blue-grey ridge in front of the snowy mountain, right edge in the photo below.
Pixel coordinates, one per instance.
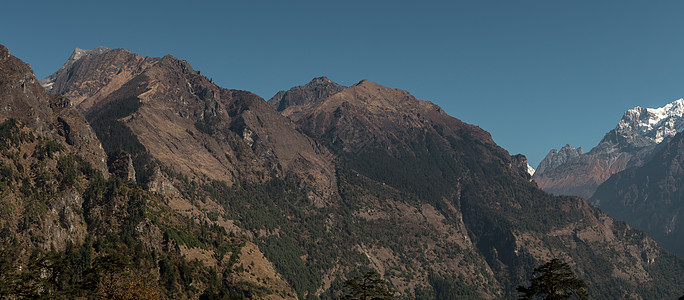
(651, 197)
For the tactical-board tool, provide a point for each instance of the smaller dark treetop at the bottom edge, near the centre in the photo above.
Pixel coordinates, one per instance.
(367, 287)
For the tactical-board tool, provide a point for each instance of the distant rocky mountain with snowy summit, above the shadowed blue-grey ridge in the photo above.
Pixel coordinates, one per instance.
(572, 172)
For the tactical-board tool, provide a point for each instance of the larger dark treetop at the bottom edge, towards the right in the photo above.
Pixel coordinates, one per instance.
(555, 281)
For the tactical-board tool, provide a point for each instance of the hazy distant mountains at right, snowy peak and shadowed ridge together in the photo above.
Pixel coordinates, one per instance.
(633, 174)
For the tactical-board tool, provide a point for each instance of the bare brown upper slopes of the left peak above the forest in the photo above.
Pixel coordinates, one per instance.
(184, 120)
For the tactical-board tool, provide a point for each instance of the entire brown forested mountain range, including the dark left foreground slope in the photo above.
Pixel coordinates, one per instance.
(217, 192)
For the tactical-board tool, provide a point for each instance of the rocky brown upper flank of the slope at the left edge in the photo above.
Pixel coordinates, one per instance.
(53, 116)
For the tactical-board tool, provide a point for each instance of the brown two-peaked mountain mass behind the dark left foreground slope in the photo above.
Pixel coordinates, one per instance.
(346, 179)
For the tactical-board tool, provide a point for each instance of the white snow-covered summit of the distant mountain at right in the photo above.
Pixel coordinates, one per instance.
(655, 124)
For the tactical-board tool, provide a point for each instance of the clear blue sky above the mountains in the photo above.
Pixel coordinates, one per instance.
(536, 74)
